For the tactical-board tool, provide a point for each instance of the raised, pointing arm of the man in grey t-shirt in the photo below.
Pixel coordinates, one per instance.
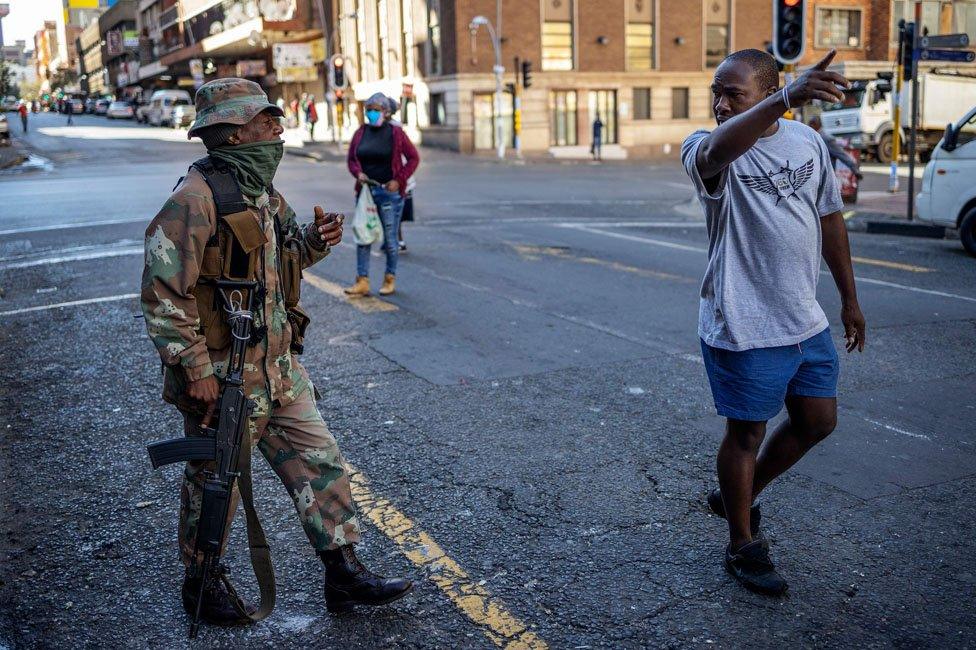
(737, 135)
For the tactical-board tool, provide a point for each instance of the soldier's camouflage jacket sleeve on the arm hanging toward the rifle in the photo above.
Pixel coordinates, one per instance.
(175, 241)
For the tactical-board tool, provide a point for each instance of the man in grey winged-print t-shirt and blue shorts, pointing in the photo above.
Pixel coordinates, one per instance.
(770, 198)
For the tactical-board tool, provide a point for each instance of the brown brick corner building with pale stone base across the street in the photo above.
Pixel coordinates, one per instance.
(643, 65)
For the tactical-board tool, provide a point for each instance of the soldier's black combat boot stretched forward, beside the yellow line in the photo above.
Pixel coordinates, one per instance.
(348, 582)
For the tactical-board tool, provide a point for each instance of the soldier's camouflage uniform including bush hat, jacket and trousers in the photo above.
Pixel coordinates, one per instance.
(285, 425)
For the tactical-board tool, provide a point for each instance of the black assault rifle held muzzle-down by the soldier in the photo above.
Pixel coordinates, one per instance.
(221, 444)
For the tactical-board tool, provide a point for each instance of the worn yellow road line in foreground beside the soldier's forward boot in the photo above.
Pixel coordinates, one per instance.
(488, 613)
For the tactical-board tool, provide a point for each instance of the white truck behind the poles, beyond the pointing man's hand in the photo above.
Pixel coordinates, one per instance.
(865, 117)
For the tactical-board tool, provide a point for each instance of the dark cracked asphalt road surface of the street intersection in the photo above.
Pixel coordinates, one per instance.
(529, 418)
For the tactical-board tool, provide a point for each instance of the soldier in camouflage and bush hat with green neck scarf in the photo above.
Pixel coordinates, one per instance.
(225, 220)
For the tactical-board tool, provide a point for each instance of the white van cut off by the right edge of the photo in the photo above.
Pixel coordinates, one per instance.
(948, 196)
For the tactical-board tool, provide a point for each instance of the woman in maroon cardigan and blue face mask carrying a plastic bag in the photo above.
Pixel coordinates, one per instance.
(382, 159)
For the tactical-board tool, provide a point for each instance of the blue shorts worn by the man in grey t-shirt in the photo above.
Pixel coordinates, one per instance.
(753, 384)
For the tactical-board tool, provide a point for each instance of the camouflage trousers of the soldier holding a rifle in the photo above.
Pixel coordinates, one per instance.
(297, 443)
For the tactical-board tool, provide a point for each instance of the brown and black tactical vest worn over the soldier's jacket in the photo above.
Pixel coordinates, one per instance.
(234, 252)
